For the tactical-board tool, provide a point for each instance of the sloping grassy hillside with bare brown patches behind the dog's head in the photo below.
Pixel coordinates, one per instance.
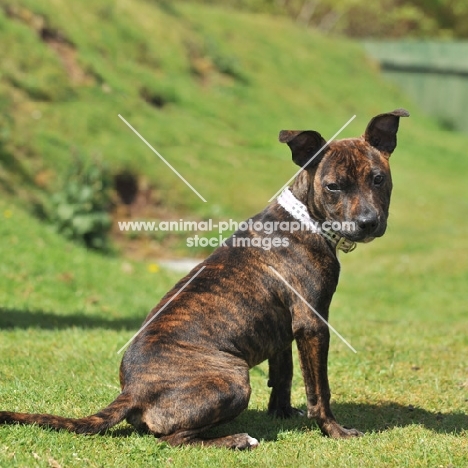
(209, 89)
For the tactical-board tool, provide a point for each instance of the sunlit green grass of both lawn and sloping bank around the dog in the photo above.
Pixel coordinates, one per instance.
(65, 312)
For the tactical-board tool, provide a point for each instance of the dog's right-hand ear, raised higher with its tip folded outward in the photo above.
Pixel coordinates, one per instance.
(382, 129)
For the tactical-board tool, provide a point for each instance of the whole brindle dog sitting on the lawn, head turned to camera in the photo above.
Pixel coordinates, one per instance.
(188, 370)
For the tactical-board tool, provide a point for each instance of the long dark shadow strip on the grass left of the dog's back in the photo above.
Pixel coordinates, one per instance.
(16, 318)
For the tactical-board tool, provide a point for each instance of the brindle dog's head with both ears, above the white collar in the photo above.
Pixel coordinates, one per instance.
(347, 182)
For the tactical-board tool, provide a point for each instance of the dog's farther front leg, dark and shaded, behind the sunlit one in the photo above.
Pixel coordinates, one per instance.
(280, 380)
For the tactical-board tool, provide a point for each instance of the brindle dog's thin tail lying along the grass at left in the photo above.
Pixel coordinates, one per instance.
(116, 412)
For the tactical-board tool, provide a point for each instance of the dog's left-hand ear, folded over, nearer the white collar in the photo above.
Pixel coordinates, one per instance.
(304, 144)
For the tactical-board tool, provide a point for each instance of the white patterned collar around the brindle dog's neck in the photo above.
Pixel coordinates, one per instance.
(300, 212)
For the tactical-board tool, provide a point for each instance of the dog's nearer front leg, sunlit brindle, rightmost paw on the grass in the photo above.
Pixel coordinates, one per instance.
(312, 344)
